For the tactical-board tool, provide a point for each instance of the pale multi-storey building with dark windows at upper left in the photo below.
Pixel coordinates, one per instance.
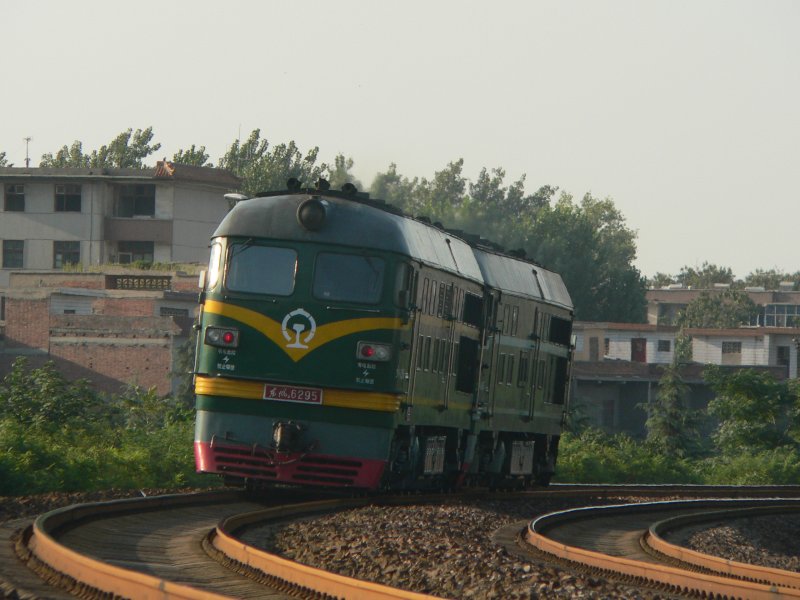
(53, 217)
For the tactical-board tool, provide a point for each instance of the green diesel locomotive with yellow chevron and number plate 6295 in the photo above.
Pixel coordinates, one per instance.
(344, 344)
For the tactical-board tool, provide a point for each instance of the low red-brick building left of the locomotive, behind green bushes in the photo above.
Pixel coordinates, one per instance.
(113, 328)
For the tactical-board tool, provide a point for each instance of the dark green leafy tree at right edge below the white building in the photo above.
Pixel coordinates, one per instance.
(756, 412)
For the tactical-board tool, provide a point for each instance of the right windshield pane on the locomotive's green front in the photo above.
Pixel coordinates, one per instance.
(348, 278)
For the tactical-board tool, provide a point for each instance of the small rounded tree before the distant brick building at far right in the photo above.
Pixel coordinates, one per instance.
(719, 310)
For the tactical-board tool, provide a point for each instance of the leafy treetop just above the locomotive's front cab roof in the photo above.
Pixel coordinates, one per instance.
(262, 168)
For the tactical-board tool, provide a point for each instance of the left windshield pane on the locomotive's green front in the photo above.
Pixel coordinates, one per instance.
(261, 269)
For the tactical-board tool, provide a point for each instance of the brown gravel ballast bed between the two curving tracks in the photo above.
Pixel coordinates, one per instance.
(443, 550)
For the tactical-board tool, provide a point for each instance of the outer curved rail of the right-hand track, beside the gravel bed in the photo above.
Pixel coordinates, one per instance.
(681, 580)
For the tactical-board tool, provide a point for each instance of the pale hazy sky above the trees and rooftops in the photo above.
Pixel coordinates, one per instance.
(686, 113)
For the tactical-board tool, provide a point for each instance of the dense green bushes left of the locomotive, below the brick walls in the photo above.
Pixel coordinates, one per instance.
(57, 435)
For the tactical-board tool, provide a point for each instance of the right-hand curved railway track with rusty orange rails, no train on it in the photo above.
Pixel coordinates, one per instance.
(630, 541)
